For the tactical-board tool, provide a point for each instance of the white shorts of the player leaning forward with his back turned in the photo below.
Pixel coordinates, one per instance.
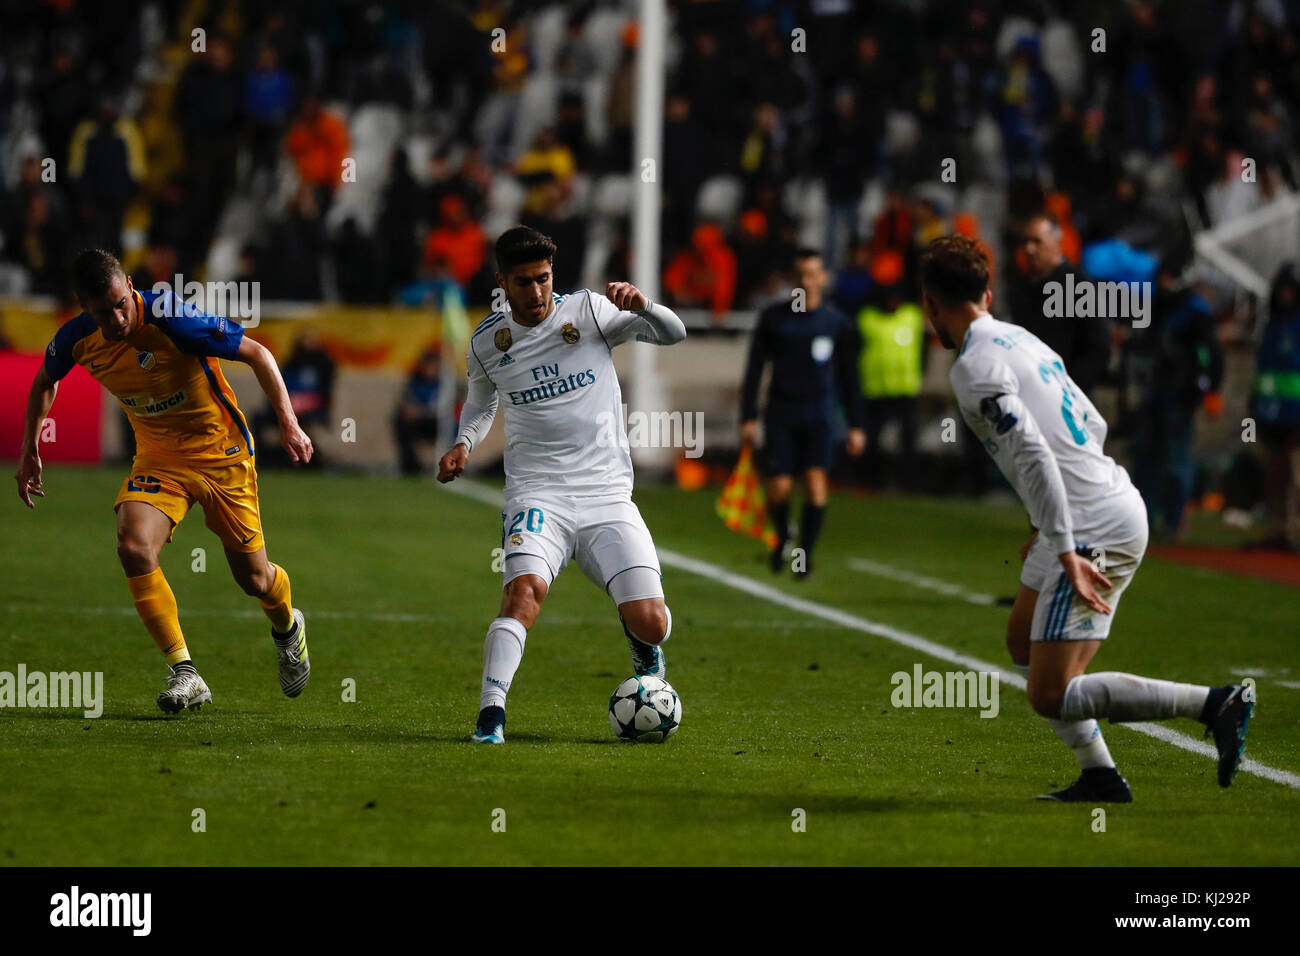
(1059, 615)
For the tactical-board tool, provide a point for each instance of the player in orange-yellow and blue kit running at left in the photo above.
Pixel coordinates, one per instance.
(159, 357)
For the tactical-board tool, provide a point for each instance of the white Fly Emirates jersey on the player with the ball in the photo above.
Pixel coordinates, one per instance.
(565, 430)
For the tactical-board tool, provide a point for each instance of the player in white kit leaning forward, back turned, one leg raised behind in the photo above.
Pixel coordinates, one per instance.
(1047, 439)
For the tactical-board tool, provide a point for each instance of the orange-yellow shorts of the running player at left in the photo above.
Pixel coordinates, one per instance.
(227, 492)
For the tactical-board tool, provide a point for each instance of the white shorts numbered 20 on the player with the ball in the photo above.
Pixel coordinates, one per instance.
(540, 534)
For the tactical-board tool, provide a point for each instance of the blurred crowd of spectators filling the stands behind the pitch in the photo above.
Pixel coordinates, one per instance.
(1086, 135)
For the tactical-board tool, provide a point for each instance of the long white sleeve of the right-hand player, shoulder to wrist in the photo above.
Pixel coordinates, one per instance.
(1022, 453)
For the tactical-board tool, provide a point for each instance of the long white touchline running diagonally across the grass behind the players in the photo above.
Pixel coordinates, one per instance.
(835, 616)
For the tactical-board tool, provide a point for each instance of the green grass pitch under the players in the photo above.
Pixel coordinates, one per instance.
(782, 711)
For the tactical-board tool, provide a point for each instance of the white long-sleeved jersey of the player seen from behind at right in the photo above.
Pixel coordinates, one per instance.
(1046, 435)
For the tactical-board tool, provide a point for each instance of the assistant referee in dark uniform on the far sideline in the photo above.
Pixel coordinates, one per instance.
(814, 351)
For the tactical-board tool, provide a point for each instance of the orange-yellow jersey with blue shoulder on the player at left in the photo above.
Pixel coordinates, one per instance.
(168, 378)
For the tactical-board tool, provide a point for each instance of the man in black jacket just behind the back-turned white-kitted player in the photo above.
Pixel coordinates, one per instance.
(1082, 344)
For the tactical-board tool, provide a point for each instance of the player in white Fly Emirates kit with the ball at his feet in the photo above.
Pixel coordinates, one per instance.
(549, 361)
